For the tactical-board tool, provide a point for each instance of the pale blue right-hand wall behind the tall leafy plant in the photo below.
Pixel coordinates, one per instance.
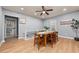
(64, 30)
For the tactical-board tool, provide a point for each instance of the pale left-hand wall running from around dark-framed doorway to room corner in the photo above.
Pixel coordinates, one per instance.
(31, 24)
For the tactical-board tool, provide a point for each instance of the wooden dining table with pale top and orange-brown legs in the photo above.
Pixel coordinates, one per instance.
(45, 35)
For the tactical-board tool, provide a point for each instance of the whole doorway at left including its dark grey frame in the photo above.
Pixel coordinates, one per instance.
(11, 27)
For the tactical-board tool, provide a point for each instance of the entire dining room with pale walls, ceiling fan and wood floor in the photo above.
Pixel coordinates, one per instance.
(39, 29)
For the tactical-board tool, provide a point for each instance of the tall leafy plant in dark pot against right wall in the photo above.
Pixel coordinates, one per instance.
(75, 26)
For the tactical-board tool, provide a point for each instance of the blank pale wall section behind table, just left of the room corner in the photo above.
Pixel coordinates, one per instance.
(33, 24)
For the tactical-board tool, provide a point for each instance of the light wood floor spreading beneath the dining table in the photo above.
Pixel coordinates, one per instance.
(26, 46)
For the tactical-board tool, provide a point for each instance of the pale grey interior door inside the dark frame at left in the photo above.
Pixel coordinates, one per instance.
(11, 27)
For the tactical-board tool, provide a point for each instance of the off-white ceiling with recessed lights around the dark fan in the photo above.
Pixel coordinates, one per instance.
(30, 10)
